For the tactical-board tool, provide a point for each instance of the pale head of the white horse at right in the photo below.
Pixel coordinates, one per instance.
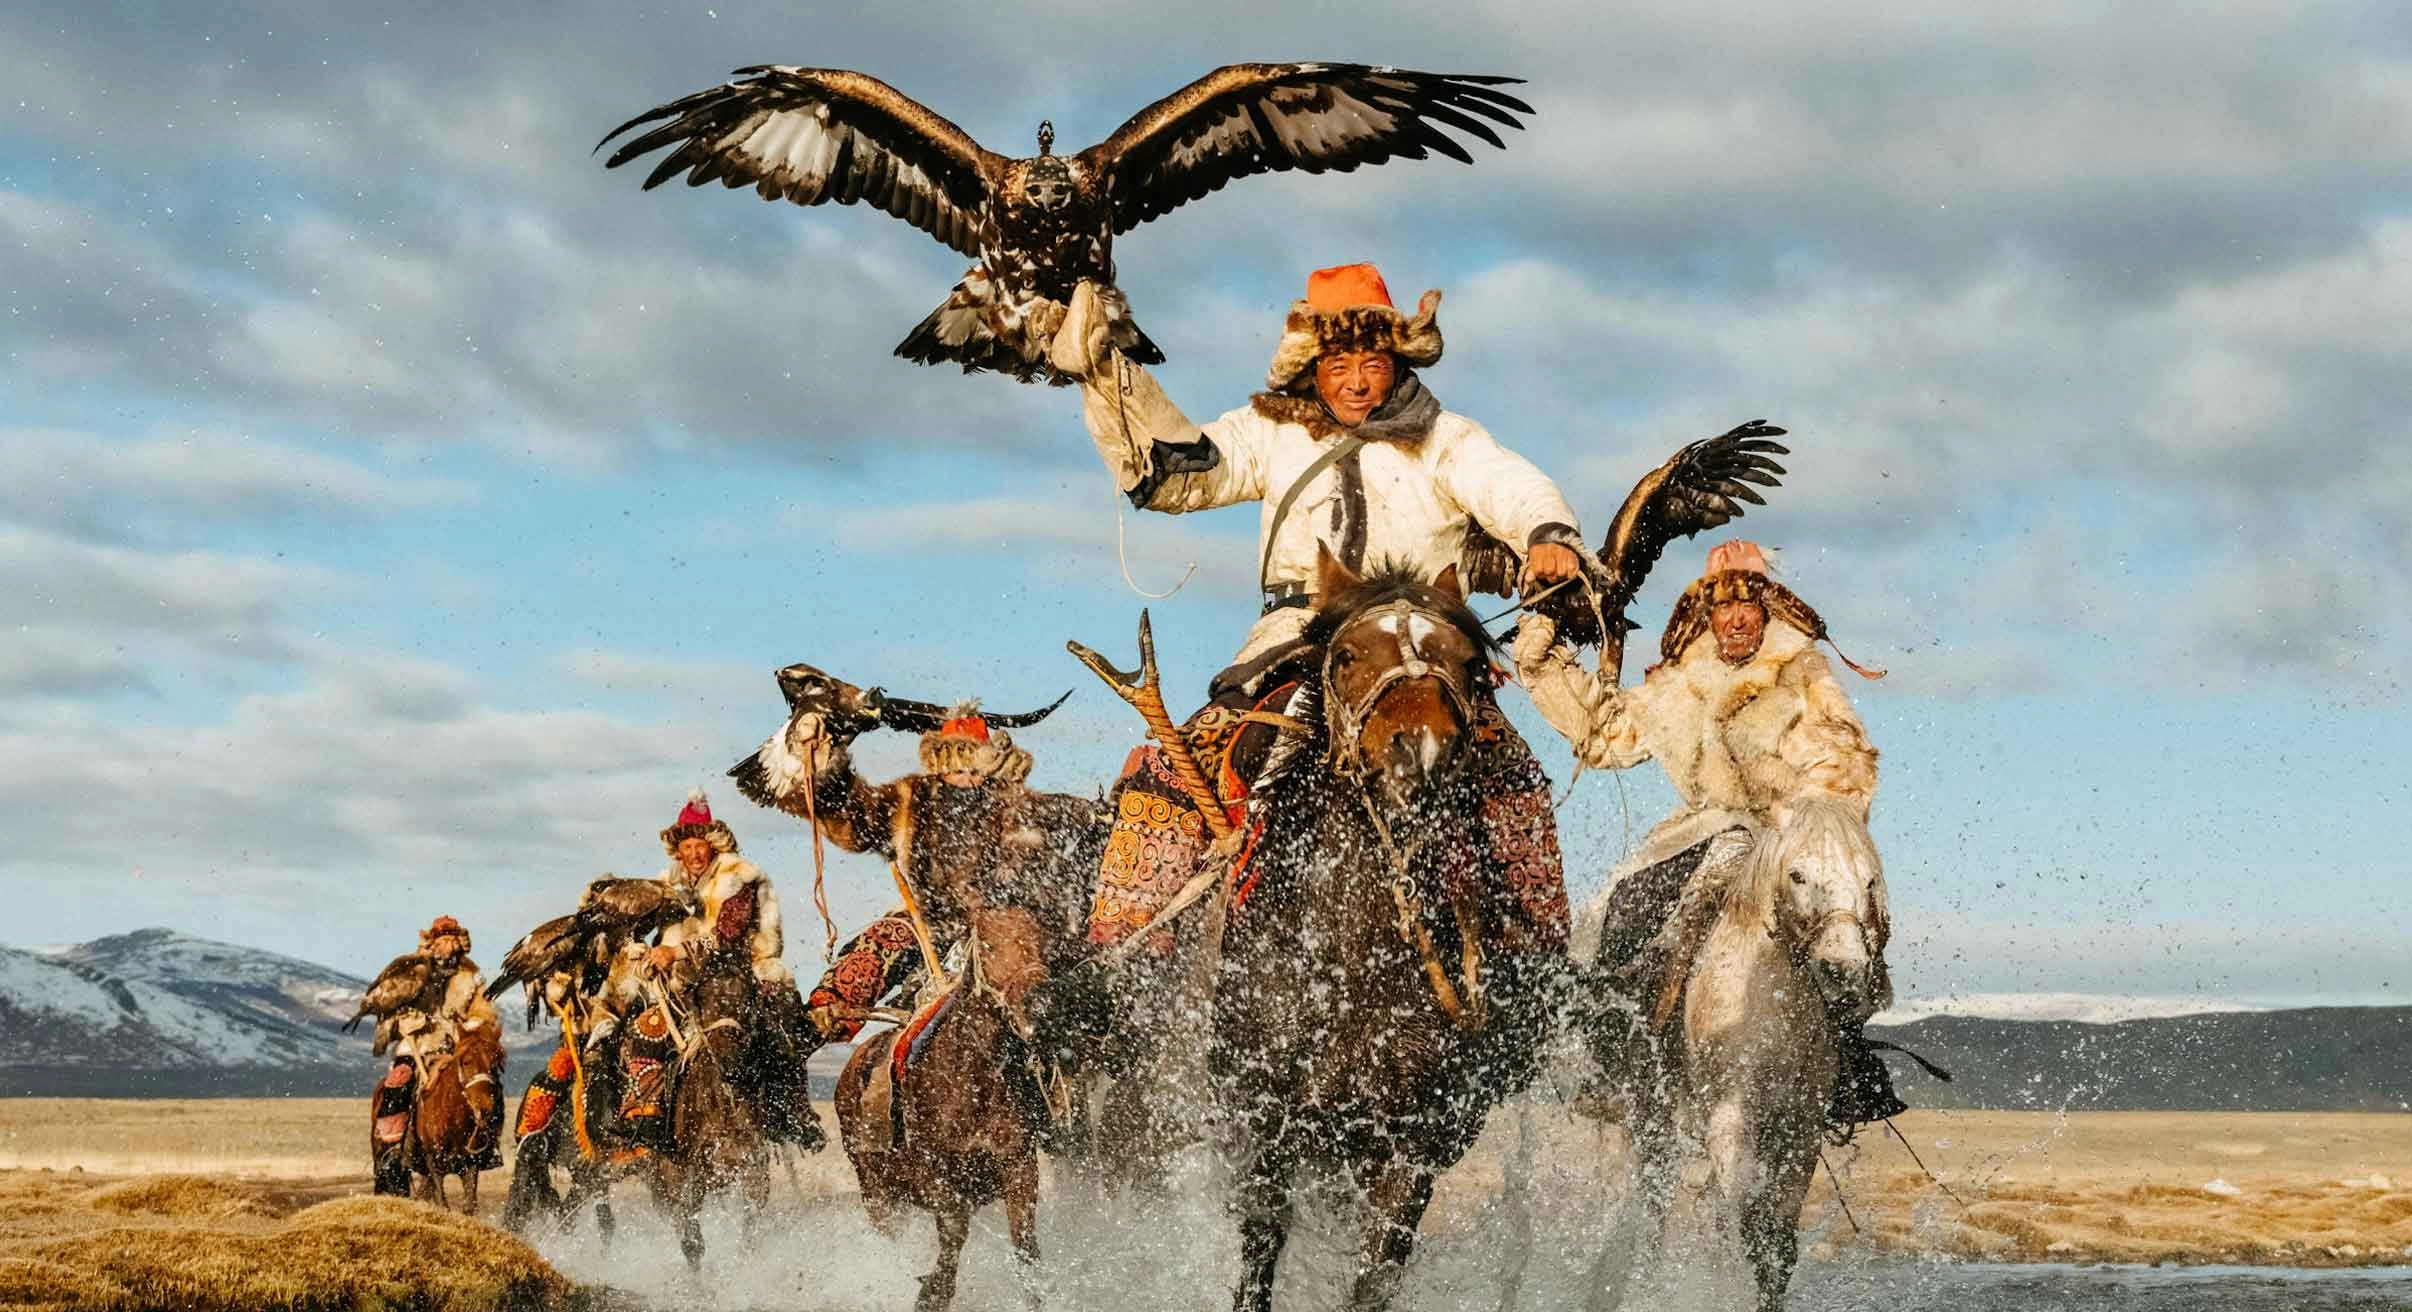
(1830, 903)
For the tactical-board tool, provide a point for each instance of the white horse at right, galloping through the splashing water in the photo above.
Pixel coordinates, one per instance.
(1728, 1135)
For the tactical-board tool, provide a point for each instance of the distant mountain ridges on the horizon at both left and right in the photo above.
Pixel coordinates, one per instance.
(163, 1014)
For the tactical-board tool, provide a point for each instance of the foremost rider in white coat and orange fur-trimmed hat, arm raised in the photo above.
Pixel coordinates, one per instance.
(1354, 457)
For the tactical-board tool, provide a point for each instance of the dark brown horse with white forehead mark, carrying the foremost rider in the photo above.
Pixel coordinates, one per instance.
(1359, 1026)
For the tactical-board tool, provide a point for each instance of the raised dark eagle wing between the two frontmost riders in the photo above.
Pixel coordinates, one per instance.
(1704, 486)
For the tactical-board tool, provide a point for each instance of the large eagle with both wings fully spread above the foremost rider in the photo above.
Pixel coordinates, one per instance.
(1046, 223)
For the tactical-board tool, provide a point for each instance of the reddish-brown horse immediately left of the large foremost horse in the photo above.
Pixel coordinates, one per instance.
(961, 1130)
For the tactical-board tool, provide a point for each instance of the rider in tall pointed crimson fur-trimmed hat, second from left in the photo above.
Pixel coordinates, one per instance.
(734, 927)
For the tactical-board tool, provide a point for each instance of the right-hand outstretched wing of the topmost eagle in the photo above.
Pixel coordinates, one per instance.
(1268, 117)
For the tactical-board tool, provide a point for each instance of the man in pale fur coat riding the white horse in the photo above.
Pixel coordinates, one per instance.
(1747, 720)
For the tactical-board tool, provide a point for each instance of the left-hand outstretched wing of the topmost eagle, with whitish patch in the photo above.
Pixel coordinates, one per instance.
(824, 134)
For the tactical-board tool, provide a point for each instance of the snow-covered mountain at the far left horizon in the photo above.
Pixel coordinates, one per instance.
(163, 1014)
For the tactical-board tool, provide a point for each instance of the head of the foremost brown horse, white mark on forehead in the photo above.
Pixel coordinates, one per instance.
(1403, 667)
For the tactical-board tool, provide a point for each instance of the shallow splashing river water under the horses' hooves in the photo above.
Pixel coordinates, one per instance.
(1181, 1255)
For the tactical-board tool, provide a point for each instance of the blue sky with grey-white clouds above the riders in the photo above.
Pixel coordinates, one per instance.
(399, 512)
